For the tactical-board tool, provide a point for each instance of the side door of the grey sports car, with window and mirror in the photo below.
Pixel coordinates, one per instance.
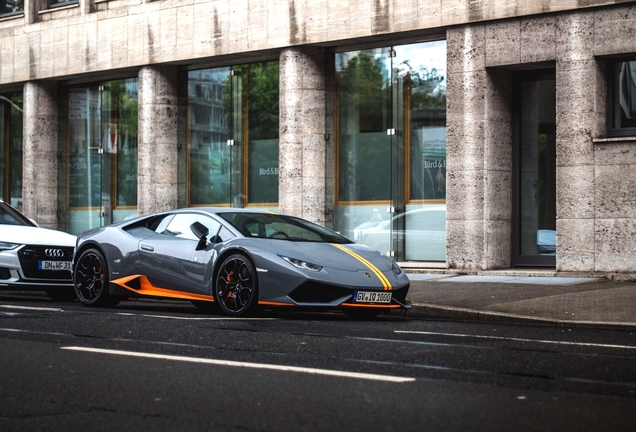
(170, 258)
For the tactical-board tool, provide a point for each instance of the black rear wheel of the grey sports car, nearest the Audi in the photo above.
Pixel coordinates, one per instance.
(90, 278)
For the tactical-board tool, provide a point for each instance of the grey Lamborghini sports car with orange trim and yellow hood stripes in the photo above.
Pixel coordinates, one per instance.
(234, 260)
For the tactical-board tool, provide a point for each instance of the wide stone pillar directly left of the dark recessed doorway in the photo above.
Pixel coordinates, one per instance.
(478, 155)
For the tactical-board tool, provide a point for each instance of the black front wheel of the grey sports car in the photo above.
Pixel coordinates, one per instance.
(236, 286)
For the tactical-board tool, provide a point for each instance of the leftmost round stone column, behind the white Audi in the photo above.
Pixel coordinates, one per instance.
(40, 153)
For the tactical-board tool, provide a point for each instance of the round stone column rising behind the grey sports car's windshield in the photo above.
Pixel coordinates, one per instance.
(303, 133)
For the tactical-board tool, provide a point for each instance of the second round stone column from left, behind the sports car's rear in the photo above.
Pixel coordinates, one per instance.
(158, 184)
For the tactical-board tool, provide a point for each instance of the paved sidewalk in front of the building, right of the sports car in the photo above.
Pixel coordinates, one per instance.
(545, 300)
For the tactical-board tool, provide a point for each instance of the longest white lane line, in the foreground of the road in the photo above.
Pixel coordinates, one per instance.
(246, 365)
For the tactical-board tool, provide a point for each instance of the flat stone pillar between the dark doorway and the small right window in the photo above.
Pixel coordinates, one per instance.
(576, 119)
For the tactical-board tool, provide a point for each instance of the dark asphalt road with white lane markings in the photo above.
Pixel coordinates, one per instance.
(163, 366)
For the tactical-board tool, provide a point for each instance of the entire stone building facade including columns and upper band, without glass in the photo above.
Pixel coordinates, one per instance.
(487, 42)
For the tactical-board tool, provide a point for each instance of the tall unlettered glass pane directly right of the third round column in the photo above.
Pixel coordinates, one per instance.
(364, 147)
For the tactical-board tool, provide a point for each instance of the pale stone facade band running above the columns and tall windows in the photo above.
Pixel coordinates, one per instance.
(124, 33)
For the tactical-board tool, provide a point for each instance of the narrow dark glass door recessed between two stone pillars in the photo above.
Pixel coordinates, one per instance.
(534, 197)
